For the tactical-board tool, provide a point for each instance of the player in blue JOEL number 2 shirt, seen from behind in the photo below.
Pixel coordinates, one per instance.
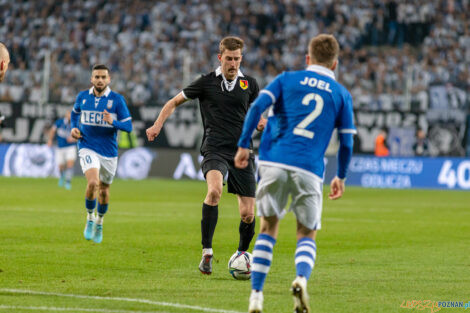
(305, 107)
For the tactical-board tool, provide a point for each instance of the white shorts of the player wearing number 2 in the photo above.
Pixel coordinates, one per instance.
(275, 186)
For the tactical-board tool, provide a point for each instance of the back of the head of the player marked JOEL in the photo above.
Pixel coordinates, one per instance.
(323, 50)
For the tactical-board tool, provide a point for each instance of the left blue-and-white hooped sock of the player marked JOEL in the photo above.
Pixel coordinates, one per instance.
(262, 257)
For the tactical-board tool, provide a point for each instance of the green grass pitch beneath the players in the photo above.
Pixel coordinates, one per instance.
(377, 249)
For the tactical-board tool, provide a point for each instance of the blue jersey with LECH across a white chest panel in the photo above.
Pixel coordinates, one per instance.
(97, 134)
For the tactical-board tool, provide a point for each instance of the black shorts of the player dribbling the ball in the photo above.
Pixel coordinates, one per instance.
(239, 181)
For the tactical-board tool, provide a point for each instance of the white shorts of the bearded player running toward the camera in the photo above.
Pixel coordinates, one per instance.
(107, 166)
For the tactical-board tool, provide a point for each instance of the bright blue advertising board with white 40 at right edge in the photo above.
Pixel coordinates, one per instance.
(429, 173)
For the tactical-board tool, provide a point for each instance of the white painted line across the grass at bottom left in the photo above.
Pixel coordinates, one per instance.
(157, 303)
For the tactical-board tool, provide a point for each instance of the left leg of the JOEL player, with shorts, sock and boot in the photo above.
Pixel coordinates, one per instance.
(271, 198)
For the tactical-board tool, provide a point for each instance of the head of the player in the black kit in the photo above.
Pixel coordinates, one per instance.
(230, 56)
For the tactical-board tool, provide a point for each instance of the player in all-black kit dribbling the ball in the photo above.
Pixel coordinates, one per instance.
(224, 97)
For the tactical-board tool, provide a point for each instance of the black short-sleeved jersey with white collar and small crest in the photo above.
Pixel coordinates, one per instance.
(223, 112)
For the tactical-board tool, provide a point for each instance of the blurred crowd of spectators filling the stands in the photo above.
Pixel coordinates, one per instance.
(387, 46)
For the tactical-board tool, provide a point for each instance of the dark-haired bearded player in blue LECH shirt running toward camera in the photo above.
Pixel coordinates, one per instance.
(102, 113)
